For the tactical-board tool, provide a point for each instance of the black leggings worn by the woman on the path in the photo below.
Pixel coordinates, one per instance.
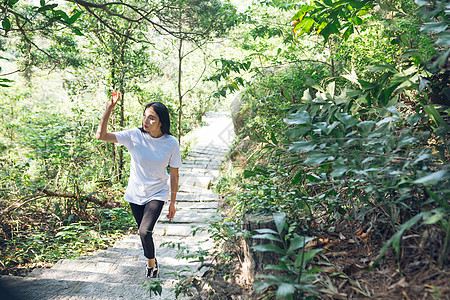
(146, 217)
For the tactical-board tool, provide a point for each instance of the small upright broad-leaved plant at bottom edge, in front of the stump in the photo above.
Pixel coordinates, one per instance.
(292, 277)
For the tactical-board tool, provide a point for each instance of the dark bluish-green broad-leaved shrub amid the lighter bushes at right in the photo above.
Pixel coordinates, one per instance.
(336, 139)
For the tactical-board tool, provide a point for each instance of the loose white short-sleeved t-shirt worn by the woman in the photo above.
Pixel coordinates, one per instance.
(149, 160)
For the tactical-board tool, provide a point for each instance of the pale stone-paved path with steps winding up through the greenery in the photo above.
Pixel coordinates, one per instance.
(118, 272)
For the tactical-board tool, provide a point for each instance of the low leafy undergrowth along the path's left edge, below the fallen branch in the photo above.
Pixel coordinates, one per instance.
(49, 242)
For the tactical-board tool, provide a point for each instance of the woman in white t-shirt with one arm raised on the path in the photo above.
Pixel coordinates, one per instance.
(152, 148)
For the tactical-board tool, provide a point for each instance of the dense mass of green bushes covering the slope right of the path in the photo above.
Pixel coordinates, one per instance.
(366, 148)
